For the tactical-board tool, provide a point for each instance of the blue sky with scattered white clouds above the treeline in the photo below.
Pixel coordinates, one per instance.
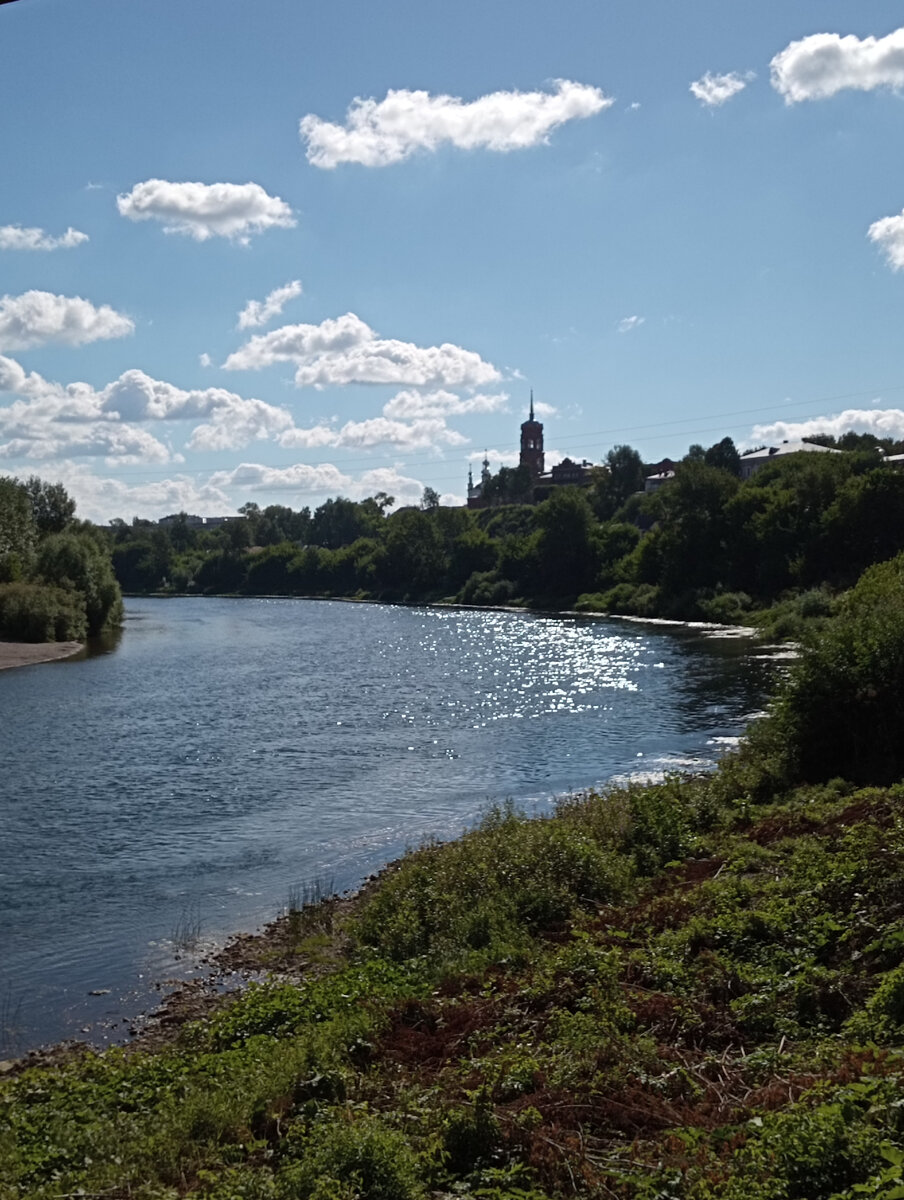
(277, 253)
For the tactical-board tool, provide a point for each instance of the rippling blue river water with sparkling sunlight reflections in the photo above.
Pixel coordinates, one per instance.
(226, 753)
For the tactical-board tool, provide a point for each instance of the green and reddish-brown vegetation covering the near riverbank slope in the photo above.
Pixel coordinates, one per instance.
(676, 992)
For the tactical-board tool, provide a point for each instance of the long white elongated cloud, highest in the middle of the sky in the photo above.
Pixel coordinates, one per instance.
(381, 133)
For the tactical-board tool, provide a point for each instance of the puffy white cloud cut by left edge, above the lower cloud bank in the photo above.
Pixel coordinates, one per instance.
(38, 317)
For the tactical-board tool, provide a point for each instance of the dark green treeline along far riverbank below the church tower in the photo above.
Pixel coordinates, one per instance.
(705, 545)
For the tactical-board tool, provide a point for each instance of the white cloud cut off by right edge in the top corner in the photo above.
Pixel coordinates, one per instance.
(824, 64)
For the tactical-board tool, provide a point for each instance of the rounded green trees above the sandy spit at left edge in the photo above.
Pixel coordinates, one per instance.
(57, 581)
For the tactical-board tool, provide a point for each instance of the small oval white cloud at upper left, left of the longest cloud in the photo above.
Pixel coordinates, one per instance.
(207, 211)
